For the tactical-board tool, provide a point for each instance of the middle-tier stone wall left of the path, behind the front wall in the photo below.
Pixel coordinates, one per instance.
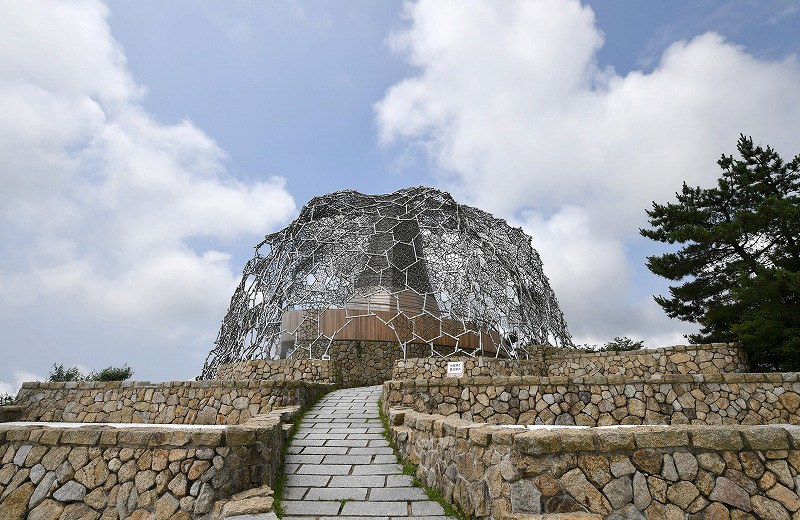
(180, 402)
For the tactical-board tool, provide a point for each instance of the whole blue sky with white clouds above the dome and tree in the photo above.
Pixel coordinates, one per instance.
(146, 147)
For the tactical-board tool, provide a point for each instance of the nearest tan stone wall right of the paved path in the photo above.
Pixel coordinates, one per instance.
(696, 472)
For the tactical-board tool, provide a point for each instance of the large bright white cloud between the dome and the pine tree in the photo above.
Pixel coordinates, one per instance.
(510, 103)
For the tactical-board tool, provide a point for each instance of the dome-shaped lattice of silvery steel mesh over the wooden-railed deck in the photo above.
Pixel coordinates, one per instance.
(413, 267)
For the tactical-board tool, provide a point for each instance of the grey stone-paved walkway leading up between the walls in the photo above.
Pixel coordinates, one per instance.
(340, 465)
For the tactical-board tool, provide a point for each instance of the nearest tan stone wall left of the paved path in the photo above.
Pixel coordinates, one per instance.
(99, 471)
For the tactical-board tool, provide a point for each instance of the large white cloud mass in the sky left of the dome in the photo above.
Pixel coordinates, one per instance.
(104, 210)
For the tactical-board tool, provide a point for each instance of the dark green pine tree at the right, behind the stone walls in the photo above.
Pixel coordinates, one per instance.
(739, 267)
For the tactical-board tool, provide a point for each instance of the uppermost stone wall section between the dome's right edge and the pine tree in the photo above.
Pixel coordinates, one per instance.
(715, 358)
